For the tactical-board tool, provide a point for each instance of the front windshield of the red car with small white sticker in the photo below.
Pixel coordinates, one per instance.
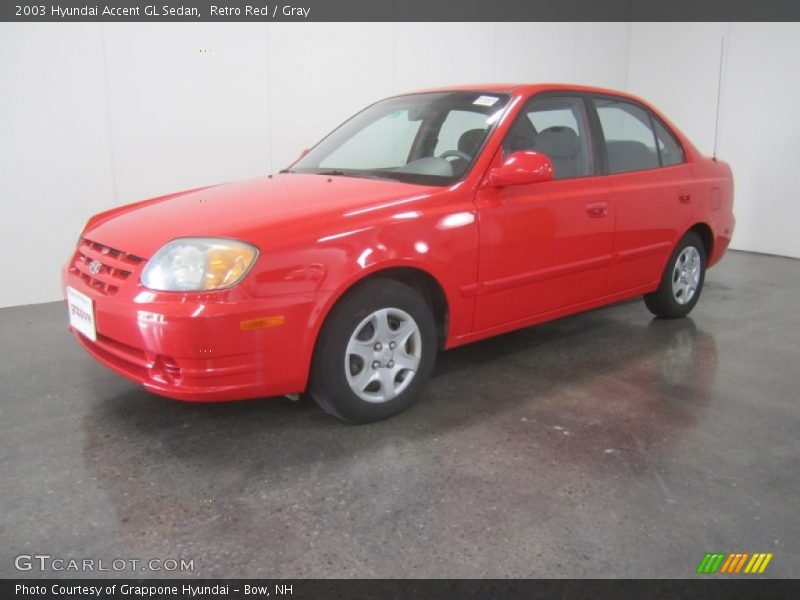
(430, 138)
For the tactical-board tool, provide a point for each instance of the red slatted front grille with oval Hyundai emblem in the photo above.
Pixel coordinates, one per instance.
(115, 266)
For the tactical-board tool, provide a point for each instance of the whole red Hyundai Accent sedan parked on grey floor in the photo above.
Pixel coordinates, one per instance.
(426, 221)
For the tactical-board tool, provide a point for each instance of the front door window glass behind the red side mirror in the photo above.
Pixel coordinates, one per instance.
(557, 127)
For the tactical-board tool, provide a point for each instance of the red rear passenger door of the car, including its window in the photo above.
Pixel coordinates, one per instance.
(653, 191)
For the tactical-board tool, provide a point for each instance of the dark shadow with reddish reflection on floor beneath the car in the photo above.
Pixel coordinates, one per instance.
(667, 366)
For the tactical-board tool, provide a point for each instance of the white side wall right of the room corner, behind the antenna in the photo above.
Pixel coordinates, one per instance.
(677, 67)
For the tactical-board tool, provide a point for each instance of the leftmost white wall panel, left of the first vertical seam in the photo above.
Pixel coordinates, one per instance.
(55, 151)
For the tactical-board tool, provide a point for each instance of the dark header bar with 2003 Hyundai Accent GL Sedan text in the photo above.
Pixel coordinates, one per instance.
(399, 10)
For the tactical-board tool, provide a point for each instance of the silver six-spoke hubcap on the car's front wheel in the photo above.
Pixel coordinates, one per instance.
(383, 355)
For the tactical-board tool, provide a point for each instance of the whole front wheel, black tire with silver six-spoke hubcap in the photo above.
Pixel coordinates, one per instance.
(385, 323)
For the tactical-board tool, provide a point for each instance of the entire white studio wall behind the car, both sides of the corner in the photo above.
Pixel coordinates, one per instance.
(96, 115)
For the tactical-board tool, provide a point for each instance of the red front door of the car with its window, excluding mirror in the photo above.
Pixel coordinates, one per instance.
(548, 245)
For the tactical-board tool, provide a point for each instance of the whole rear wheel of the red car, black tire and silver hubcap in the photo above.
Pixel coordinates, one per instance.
(682, 280)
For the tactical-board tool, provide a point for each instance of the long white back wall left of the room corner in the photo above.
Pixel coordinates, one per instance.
(96, 115)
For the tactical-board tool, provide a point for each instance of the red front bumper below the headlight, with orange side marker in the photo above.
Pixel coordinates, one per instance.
(194, 347)
